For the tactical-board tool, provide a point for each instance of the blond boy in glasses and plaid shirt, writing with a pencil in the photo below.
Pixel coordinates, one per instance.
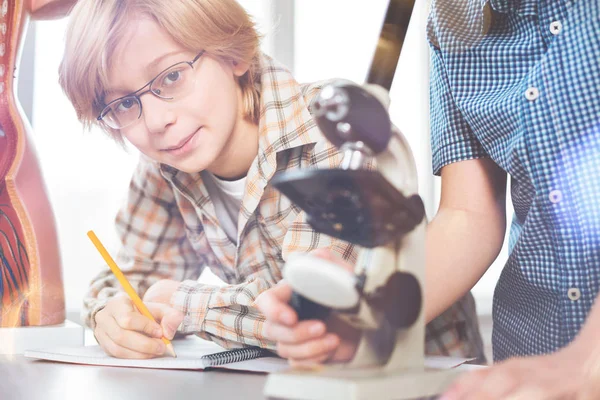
(214, 119)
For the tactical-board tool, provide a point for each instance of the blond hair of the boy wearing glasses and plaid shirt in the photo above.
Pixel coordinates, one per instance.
(220, 27)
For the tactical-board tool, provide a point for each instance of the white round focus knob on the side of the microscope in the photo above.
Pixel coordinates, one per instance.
(322, 282)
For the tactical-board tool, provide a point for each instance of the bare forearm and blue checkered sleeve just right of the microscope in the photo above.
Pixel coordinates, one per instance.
(467, 233)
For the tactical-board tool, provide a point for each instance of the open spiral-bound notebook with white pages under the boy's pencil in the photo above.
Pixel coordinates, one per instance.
(189, 356)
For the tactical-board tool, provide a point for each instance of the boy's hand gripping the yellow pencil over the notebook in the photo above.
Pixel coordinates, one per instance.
(123, 332)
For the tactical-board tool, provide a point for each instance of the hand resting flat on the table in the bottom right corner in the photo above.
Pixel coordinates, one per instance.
(563, 375)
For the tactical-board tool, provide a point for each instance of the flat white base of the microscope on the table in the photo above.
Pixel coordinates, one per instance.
(358, 384)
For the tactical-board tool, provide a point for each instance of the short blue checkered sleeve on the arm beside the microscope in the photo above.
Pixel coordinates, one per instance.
(452, 139)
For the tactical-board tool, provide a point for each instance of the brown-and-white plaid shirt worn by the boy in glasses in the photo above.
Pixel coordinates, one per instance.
(170, 230)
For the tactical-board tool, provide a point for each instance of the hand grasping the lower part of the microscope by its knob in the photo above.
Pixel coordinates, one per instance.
(305, 343)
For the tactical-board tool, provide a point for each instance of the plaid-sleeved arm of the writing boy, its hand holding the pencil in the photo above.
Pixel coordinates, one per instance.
(154, 247)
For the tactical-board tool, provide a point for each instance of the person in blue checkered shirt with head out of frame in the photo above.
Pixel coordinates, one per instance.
(514, 90)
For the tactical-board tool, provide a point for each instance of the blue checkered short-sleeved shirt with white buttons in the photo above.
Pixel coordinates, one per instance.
(518, 81)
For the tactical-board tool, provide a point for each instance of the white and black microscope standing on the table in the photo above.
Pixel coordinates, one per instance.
(370, 200)
